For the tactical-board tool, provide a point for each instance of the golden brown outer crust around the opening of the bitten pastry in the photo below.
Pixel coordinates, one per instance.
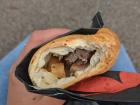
(103, 36)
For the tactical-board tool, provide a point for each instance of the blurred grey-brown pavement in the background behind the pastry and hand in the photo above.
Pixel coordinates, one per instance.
(18, 18)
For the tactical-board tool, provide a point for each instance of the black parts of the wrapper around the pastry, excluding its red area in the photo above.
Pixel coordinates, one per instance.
(130, 95)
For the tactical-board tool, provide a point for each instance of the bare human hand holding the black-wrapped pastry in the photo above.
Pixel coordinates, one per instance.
(17, 94)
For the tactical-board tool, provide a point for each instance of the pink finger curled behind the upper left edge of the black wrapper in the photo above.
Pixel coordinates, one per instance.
(39, 37)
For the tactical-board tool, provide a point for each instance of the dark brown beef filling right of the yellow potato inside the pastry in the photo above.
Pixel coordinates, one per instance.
(77, 59)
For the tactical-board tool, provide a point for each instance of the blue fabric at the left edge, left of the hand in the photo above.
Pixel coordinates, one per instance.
(5, 65)
